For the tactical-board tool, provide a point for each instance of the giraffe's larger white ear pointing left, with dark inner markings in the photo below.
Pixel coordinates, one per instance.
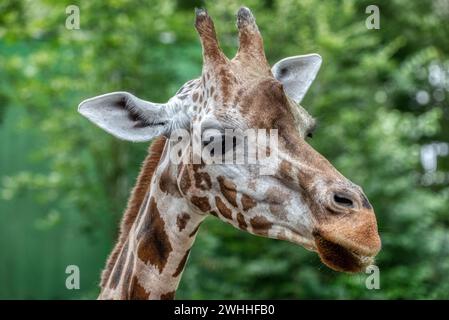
(126, 117)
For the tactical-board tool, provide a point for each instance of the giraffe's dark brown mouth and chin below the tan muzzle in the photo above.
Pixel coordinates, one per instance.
(340, 258)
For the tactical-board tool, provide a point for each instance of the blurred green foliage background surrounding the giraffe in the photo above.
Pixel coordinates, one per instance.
(381, 99)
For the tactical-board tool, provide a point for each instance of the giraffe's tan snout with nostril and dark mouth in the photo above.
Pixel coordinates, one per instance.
(347, 237)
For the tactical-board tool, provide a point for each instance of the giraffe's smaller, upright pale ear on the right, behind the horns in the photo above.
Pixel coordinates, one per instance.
(297, 74)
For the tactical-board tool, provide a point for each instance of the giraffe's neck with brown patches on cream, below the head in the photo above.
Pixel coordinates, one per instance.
(152, 257)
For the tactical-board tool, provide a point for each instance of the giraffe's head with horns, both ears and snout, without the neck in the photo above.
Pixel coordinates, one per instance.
(304, 200)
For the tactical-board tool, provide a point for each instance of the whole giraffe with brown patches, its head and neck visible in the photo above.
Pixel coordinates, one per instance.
(305, 200)
